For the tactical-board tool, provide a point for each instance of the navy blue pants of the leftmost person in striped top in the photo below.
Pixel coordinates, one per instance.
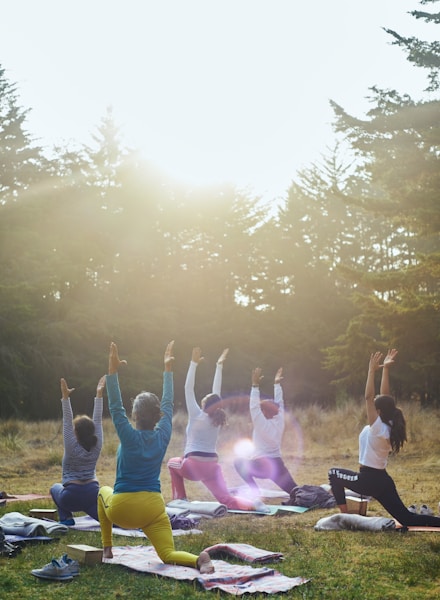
(75, 498)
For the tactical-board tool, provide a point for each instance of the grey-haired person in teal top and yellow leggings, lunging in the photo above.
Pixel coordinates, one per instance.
(136, 500)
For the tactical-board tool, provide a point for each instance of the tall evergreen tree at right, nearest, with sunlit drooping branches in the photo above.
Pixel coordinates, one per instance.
(398, 147)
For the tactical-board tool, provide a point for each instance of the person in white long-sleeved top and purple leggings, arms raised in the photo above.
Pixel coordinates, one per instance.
(268, 427)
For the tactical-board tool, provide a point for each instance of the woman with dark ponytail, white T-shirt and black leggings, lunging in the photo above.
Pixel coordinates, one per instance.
(385, 433)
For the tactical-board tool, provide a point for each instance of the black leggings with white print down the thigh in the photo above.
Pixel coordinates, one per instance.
(378, 484)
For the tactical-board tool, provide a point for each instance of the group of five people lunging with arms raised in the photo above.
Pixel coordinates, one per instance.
(136, 500)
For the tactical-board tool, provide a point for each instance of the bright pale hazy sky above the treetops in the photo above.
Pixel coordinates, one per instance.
(209, 91)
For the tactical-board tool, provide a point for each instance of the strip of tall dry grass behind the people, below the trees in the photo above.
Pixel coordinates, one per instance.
(314, 441)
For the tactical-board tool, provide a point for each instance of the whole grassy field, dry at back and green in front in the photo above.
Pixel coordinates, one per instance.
(340, 565)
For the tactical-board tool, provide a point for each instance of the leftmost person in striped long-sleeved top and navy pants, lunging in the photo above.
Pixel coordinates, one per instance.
(83, 439)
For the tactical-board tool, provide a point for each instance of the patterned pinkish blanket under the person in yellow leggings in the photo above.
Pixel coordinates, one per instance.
(233, 579)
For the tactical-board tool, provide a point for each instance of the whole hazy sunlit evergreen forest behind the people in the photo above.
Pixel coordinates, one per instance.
(97, 245)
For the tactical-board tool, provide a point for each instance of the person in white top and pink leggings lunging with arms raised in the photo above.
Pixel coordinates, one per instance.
(200, 460)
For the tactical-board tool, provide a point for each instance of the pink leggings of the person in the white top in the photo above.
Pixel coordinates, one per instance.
(209, 472)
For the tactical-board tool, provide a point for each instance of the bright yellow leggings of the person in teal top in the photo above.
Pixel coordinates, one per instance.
(141, 510)
